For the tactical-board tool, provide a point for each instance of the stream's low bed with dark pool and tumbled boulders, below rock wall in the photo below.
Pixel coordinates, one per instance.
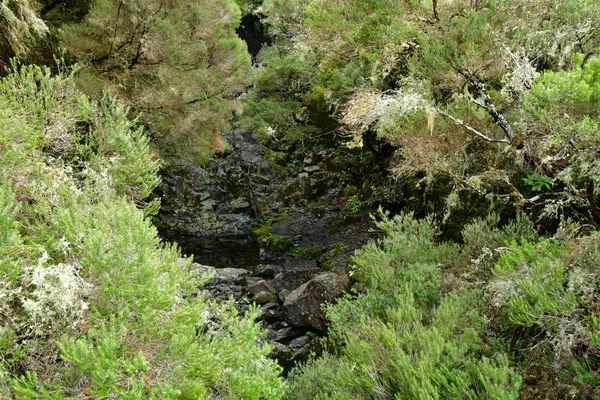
(290, 287)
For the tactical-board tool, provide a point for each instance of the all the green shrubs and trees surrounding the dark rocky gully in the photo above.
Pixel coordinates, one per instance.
(491, 107)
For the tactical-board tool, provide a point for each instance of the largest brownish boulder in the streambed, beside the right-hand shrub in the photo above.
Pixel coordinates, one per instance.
(302, 308)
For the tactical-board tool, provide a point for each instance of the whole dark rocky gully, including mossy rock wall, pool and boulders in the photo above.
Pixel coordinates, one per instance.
(277, 236)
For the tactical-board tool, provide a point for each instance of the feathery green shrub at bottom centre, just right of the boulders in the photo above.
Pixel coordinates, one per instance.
(399, 336)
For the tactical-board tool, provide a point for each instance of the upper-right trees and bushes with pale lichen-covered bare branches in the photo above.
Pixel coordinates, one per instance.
(483, 99)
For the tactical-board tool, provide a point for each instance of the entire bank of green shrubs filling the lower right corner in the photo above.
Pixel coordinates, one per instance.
(490, 319)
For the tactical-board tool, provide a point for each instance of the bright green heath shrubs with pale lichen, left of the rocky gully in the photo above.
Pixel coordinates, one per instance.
(93, 305)
